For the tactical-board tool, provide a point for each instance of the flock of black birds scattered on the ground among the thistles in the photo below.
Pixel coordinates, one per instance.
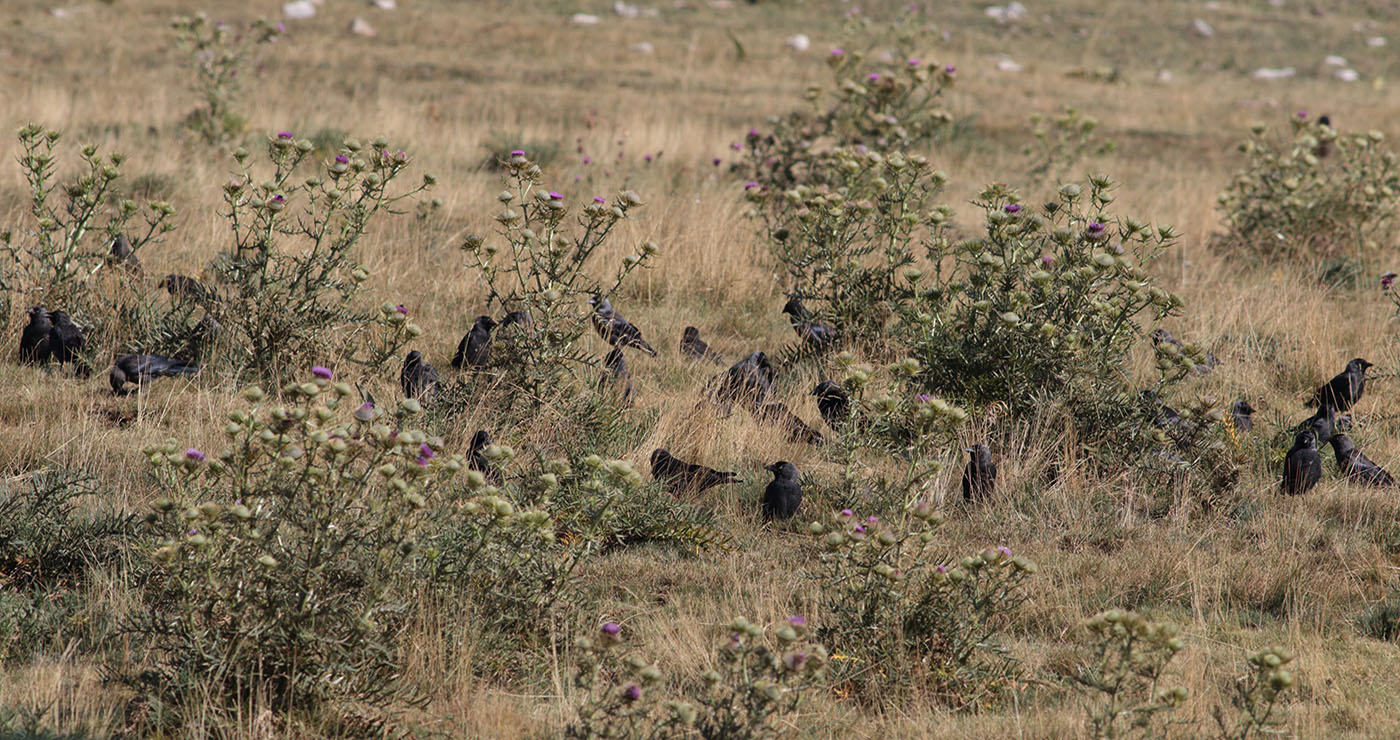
(52, 336)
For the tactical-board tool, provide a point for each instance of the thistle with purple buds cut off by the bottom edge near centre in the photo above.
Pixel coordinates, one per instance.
(758, 683)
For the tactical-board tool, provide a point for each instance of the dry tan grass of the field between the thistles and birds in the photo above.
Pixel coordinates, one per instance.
(460, 83)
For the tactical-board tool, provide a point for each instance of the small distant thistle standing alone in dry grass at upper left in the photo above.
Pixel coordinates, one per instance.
(220, 57)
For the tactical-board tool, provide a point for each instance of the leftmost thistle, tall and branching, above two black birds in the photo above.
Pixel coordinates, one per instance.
(59, 261)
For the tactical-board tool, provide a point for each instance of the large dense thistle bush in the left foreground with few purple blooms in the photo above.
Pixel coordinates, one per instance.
(279, 570)
